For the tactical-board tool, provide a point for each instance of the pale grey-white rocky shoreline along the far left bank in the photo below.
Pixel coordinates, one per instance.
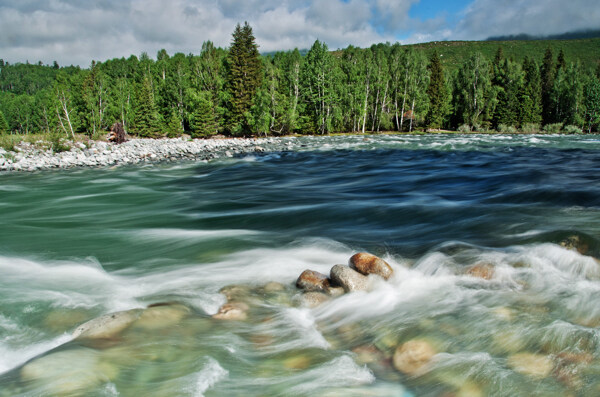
(29, 157)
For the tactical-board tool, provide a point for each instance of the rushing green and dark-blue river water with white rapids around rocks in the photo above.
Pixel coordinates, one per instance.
(493, 241)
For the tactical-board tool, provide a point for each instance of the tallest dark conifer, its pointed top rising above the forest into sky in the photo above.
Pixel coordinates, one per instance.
(244, 77)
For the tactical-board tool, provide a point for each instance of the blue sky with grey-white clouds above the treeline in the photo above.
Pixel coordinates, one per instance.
(79, 31)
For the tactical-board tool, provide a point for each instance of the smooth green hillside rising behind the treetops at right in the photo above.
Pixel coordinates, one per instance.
(454, 53)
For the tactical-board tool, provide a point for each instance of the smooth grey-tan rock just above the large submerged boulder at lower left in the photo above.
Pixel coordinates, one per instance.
(107, 326)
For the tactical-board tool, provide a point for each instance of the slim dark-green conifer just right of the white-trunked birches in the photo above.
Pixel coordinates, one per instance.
(438, 95)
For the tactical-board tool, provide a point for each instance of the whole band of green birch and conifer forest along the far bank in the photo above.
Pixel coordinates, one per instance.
(239, 92)
